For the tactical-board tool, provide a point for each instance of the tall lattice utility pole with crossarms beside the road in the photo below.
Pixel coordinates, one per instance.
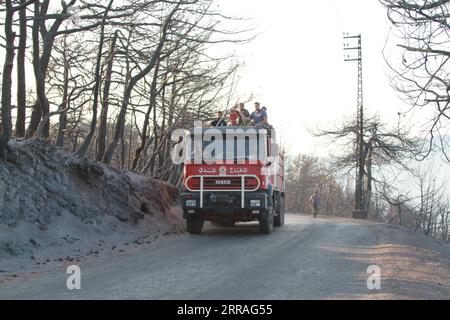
(360, 210)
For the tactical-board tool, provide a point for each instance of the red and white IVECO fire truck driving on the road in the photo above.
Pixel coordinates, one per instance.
(243, 184)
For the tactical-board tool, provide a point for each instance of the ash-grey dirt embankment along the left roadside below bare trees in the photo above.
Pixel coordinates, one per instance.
(52, 201)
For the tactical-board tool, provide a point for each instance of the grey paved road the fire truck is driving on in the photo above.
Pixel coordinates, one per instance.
(307, 259)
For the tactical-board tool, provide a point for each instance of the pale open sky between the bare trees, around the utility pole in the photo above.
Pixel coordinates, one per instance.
(295, 67)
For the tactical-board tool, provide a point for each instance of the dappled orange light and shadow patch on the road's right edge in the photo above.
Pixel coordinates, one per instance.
(408, 272)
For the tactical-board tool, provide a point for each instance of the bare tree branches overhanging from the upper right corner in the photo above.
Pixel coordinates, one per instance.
(421, 67)
